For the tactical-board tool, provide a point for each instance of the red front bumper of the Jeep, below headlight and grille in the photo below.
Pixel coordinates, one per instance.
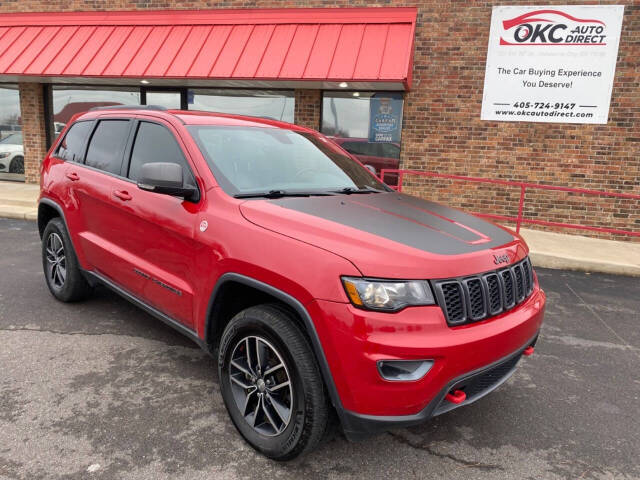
(354, 340)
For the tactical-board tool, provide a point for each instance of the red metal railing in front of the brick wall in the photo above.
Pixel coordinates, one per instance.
(523, 188)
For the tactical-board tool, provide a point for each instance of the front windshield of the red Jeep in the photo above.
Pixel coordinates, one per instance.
(248, 160)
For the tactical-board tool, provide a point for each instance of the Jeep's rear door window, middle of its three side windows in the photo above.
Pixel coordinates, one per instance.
(107, 145)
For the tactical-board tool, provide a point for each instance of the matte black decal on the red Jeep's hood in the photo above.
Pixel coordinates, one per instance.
(412, 221)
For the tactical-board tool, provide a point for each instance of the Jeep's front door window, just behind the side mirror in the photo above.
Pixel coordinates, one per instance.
(154, 143)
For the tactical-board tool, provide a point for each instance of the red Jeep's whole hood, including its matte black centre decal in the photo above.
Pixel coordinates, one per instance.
(390, 235)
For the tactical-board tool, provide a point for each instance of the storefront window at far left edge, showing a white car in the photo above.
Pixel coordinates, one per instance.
(11, 151)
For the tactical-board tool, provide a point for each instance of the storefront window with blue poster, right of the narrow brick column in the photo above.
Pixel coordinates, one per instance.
(367, 125)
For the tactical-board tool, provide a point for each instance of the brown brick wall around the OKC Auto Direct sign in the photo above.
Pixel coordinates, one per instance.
(442, 126)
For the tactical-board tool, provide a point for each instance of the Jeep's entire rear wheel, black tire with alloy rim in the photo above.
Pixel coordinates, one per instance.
(60, 264)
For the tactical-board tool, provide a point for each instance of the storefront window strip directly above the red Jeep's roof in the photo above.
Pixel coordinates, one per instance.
(274, 104)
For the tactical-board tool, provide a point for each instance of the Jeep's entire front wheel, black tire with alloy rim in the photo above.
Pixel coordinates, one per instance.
(275, 328)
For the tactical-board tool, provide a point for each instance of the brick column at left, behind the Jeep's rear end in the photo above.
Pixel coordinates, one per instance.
(33, 129)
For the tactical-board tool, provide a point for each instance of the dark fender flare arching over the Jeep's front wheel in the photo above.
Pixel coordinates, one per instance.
(299, 308)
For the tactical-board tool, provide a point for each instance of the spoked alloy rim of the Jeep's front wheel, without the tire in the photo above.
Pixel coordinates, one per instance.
(261, 385)
